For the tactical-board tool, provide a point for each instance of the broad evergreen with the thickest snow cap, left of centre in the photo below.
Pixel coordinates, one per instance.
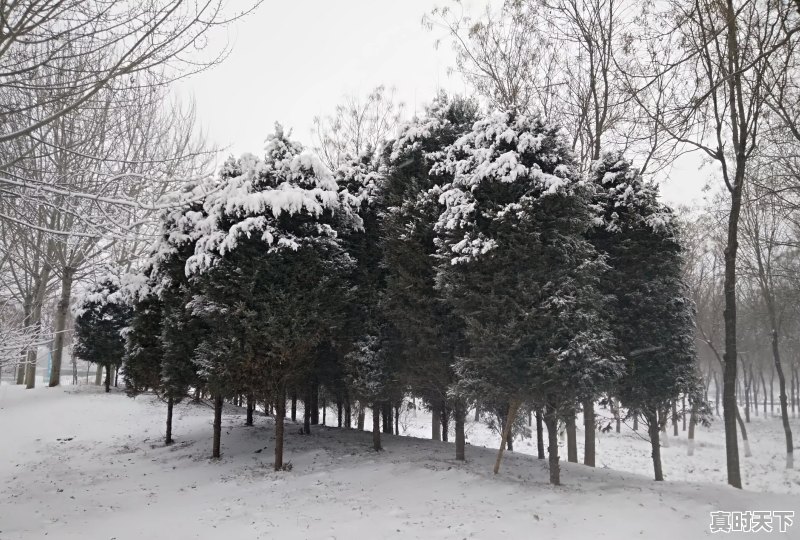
(267, 271)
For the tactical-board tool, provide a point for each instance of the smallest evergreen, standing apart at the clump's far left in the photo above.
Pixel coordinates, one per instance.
(102, 318)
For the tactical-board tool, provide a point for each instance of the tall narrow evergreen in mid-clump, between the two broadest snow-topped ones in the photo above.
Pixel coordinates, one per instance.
(429, 335)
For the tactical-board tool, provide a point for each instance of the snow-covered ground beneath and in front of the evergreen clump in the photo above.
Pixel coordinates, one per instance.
(78, 463)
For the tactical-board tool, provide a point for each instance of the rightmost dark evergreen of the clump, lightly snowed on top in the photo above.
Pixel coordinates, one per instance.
(652, 316)
